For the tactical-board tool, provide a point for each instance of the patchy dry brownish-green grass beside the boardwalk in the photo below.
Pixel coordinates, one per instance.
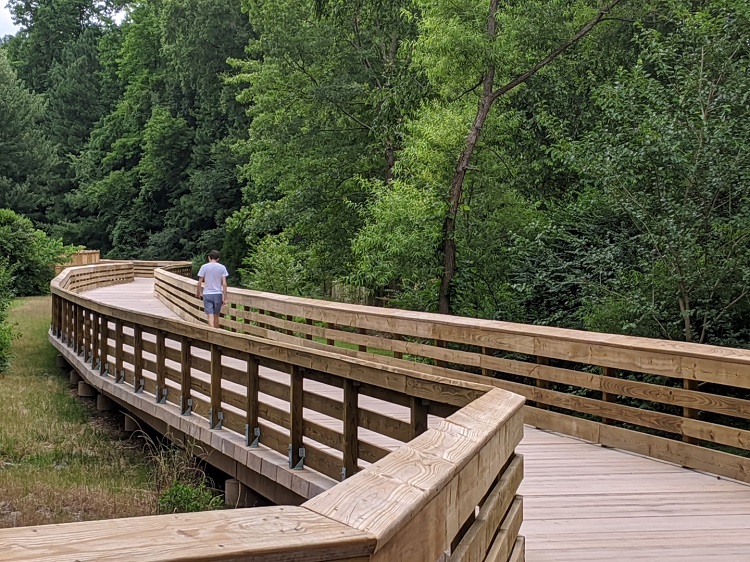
(60, 460)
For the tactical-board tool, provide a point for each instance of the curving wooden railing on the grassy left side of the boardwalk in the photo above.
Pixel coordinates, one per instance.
(451, 488)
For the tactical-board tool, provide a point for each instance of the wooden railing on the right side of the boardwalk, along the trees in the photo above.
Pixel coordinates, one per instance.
(680, 402)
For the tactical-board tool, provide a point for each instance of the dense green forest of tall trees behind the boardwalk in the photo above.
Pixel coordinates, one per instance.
(573, 163)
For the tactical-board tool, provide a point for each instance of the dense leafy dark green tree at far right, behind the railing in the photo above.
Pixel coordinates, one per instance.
(671, 154)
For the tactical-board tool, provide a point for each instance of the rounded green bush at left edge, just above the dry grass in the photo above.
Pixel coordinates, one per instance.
(31, 255)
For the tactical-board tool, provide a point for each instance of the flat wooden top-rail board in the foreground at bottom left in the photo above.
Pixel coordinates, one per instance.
(279, 534)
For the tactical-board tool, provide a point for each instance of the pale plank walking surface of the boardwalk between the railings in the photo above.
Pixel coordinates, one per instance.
(582, 502)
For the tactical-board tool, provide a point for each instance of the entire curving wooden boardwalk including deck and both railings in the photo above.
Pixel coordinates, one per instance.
(412, 414)
